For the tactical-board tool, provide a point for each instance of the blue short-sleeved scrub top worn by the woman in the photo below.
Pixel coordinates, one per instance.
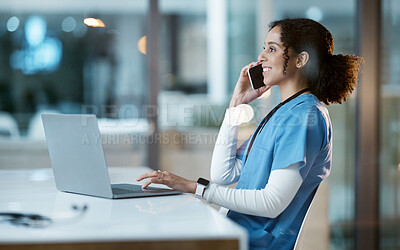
(299, 132)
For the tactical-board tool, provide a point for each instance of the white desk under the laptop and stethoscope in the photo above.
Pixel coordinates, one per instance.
(166, 222)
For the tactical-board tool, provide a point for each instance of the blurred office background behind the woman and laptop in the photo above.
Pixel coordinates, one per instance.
(51, 61)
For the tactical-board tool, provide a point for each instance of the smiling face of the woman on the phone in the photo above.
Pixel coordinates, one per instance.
(272, 59)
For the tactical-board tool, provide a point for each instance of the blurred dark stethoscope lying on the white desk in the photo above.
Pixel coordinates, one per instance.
(40, 221)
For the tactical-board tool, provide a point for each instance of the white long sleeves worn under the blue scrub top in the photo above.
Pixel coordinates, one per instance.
(281, 188)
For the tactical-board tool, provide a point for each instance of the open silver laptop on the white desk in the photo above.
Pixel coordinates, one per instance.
(78, 161)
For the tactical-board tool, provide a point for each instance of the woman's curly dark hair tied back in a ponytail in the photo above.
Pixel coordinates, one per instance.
(332, 78)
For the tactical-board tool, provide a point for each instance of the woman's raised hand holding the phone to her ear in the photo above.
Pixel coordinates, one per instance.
(244, 93)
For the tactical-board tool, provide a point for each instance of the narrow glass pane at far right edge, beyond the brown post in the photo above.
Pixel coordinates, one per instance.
(390, 127)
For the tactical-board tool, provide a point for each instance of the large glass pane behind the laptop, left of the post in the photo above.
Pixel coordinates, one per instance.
(71, 57)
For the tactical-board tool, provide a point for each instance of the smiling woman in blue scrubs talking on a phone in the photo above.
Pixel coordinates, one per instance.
(281, 165)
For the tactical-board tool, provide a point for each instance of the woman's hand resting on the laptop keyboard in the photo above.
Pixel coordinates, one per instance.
(171, 180)
